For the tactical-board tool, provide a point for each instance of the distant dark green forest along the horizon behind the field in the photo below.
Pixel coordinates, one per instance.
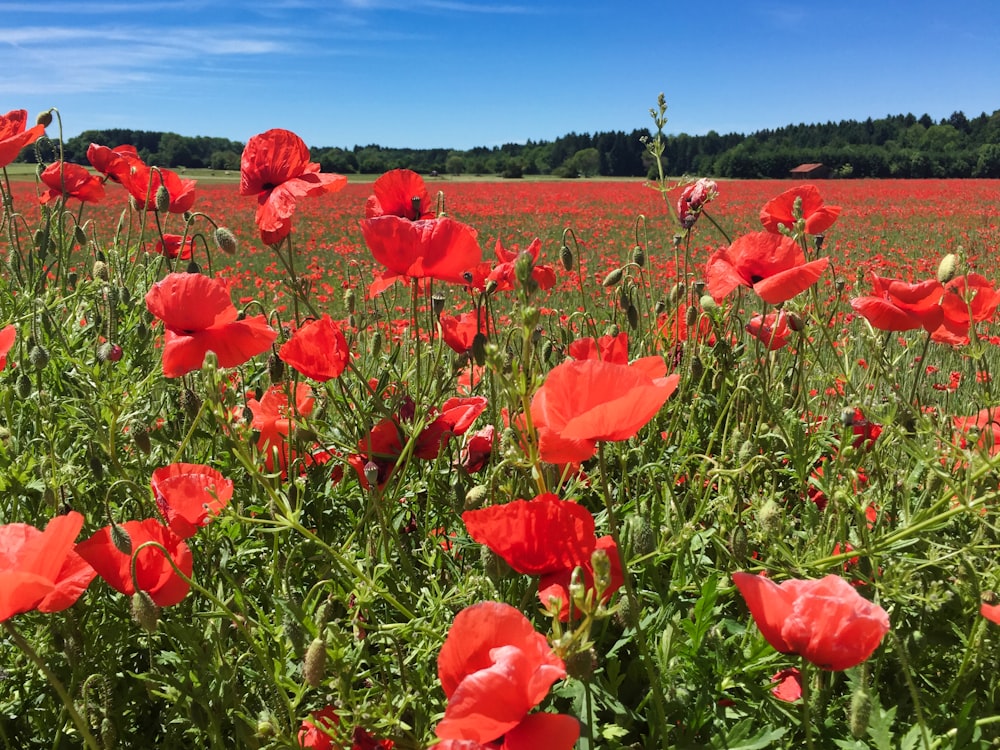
(901, 146)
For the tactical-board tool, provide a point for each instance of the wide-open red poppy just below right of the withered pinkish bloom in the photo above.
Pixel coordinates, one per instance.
(773, 265)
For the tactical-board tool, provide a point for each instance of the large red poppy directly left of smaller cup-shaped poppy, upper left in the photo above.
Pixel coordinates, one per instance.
(199, 317)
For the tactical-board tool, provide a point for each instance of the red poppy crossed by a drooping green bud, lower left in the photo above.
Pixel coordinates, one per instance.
(154, 573)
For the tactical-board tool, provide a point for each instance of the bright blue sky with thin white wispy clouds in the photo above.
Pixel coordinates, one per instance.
(459, 73)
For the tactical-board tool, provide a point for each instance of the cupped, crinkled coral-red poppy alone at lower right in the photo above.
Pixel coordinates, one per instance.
(826, 621)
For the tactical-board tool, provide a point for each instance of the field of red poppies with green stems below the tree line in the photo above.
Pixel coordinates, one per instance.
(303, 462)
